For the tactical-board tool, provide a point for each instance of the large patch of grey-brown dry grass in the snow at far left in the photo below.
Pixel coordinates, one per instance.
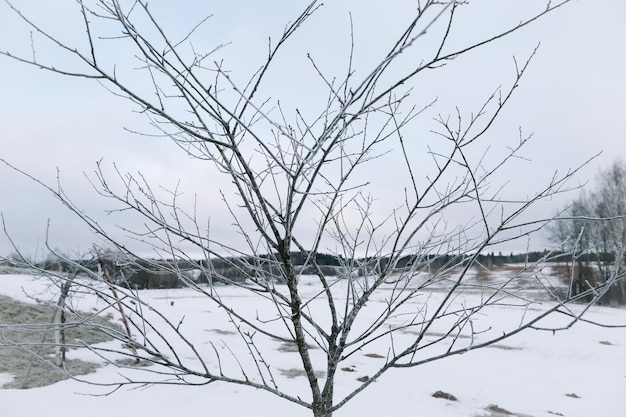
(23, 326)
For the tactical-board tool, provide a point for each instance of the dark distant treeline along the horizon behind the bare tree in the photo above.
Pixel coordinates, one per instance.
(147, 274)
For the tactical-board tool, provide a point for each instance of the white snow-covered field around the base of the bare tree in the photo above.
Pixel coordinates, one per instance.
(577, 373)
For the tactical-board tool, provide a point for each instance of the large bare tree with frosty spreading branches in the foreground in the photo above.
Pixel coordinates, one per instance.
(291, 170)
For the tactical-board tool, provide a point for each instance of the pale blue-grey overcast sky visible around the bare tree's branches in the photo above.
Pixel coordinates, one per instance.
(571, 99)
